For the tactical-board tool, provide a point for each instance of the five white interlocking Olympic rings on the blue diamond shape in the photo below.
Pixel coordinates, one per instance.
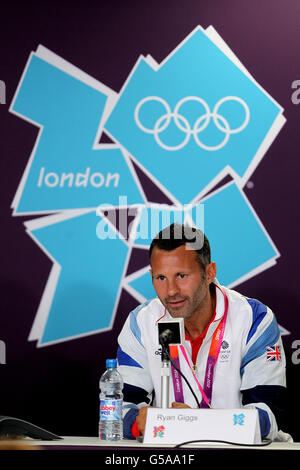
(183, 125)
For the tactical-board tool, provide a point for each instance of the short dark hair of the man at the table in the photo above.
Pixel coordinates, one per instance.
(177, 235)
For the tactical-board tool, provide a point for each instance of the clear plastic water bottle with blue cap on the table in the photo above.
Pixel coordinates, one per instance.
(111, 401)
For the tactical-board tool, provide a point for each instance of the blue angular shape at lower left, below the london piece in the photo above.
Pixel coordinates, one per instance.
(89, 281)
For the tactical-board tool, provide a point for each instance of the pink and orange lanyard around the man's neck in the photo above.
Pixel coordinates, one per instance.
(213, 354)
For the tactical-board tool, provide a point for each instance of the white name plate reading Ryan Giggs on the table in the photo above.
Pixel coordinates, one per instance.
(178, 425)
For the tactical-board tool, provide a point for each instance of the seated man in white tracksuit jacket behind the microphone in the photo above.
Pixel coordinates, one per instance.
(230, 338)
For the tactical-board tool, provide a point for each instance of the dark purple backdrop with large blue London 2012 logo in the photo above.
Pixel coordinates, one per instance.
(118, 118)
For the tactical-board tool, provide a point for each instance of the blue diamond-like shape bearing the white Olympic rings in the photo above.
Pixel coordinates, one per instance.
(224, 110)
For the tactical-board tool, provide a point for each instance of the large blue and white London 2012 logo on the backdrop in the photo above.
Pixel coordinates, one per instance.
(194, 126)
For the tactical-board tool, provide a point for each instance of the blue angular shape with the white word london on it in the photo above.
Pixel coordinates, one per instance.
(66, 172)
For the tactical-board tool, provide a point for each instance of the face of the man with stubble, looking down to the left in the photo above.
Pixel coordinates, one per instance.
(179, 281)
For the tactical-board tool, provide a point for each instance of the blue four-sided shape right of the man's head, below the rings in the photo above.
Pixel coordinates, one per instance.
(238, 242)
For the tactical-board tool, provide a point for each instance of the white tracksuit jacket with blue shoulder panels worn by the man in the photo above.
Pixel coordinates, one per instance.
(246, 374)
